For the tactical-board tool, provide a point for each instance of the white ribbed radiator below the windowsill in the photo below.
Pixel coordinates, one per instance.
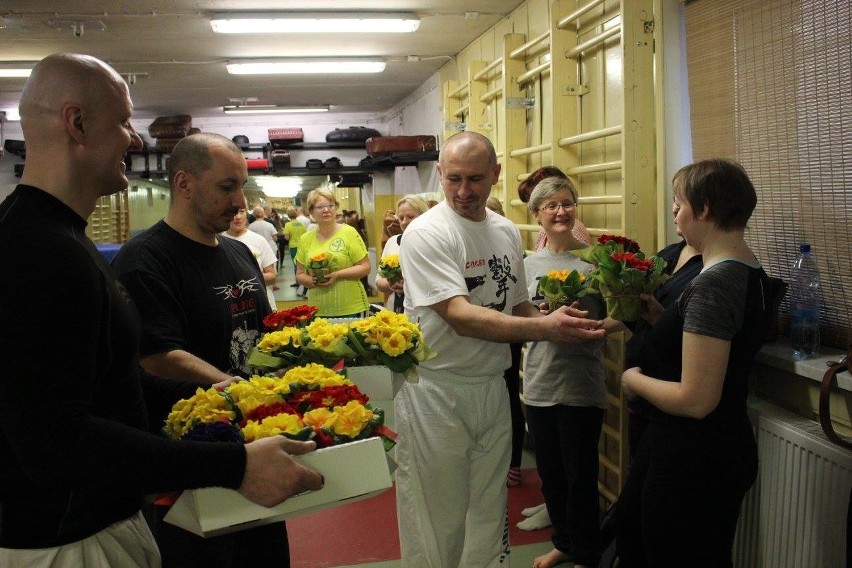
(795, 515)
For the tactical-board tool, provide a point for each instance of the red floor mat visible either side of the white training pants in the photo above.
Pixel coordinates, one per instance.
(365, 531)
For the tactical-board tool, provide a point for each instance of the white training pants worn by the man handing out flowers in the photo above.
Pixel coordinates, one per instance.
(453, 451)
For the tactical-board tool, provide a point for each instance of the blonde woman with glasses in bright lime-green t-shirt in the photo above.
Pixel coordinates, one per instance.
(331, 260)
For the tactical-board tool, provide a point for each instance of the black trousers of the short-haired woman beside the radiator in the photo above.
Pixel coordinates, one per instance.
(683, 494)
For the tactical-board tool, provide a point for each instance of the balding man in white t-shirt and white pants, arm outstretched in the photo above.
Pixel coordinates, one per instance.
(465, 285)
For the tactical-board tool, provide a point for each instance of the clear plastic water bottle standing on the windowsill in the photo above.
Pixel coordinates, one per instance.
(804, 305)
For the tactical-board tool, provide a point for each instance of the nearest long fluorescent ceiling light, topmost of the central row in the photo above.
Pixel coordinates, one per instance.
(314, 22)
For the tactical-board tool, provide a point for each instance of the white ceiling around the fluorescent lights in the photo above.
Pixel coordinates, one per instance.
(172, 42)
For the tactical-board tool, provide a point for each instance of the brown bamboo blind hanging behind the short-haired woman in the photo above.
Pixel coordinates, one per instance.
(770, 86)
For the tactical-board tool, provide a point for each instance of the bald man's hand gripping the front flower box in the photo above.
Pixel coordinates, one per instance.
(272, 475)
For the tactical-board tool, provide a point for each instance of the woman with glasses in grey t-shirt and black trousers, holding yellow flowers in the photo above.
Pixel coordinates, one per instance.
(564, 391)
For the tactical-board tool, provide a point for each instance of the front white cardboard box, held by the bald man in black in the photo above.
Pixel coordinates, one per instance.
(352, 472)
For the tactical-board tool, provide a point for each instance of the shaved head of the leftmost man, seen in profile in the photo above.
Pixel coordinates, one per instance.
(75, 114)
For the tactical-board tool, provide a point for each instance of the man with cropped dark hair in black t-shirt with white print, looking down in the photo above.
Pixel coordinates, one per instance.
(202, 299)
